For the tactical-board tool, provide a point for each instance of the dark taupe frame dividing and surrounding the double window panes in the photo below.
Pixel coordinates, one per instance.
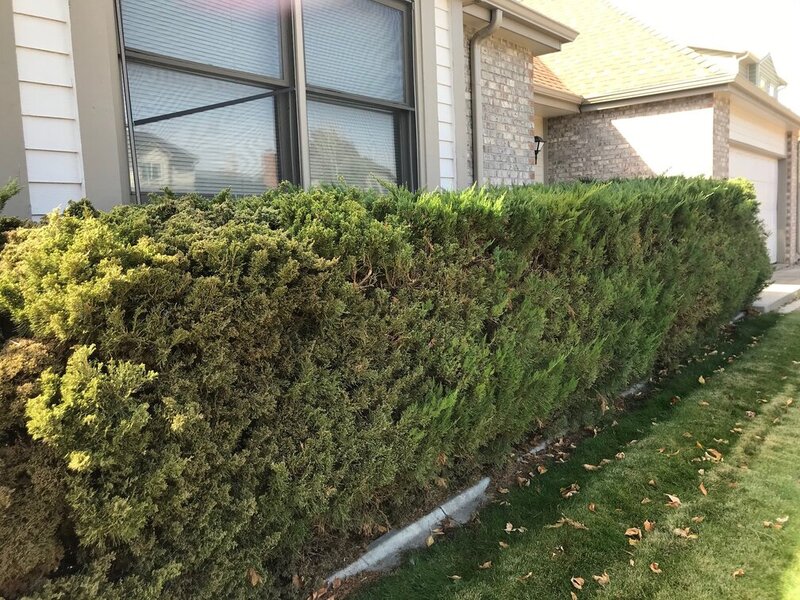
(292, 157)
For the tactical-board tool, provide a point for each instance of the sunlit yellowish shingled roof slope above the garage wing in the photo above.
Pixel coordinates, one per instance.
(618, 55)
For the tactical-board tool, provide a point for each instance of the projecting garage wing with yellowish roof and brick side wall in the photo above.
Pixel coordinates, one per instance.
(644, 105)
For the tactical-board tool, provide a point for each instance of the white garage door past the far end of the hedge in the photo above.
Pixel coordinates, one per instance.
(763, 172)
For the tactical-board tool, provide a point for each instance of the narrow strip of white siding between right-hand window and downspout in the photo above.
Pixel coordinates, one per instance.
(444, 95)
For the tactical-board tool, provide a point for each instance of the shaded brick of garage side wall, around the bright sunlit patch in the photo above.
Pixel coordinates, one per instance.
(589, 146)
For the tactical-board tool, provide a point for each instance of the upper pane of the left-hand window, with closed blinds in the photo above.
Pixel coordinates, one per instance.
(239, 34)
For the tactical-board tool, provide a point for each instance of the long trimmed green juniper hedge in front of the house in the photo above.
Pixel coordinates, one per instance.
(229, 381)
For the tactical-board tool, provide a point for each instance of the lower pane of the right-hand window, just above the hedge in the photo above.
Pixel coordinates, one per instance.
(356, 145)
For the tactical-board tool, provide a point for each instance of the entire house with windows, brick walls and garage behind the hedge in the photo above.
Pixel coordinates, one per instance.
(110, 98)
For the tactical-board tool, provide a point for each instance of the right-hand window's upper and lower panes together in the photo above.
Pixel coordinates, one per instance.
(358, 103)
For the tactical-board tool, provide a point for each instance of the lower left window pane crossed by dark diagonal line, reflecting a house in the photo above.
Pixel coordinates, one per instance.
(233, 147)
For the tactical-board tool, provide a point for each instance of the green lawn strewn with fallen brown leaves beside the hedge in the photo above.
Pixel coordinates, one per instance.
(665, 443)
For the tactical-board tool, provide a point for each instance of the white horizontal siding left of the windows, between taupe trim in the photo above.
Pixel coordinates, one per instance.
(48, 101)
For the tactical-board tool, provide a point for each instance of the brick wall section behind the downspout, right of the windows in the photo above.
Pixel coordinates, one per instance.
(507, 74)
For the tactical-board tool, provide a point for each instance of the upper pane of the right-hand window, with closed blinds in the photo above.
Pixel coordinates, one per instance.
(355, 46)
